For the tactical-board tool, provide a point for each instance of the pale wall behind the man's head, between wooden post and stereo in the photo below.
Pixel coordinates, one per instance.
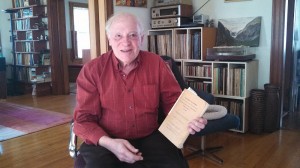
(142, 13)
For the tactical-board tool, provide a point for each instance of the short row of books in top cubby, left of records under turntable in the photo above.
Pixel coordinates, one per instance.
(198, 70)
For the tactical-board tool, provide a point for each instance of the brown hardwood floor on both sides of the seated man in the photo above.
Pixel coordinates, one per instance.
(49, 148)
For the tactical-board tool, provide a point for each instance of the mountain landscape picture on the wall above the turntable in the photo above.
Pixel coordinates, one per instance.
(239, 32)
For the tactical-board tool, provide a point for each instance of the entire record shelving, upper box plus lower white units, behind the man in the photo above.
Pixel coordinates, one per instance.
(229, 82)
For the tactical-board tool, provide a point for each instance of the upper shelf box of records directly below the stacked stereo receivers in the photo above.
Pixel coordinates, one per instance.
(182, 43)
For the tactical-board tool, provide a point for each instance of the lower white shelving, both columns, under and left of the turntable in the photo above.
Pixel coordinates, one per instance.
(229, 82)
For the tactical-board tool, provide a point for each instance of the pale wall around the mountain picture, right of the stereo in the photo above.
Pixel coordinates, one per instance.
(218, 9)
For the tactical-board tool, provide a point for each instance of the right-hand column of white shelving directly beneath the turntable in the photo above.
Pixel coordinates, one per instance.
(232, 83)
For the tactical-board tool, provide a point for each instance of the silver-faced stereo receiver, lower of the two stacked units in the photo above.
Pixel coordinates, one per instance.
(169, 22)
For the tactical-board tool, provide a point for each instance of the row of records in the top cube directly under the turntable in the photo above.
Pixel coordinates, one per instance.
(232, 86)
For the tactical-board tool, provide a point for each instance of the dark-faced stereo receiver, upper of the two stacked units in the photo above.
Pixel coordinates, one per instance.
(172, 11)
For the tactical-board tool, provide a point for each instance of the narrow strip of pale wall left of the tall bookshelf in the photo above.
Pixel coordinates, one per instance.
(5, 30)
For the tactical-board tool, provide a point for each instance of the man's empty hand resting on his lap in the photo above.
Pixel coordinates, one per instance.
(123, 150)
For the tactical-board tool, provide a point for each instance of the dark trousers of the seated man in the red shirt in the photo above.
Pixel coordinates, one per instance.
(157, 151)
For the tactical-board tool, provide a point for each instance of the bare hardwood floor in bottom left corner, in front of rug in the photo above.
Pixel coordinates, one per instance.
(46, 148)
